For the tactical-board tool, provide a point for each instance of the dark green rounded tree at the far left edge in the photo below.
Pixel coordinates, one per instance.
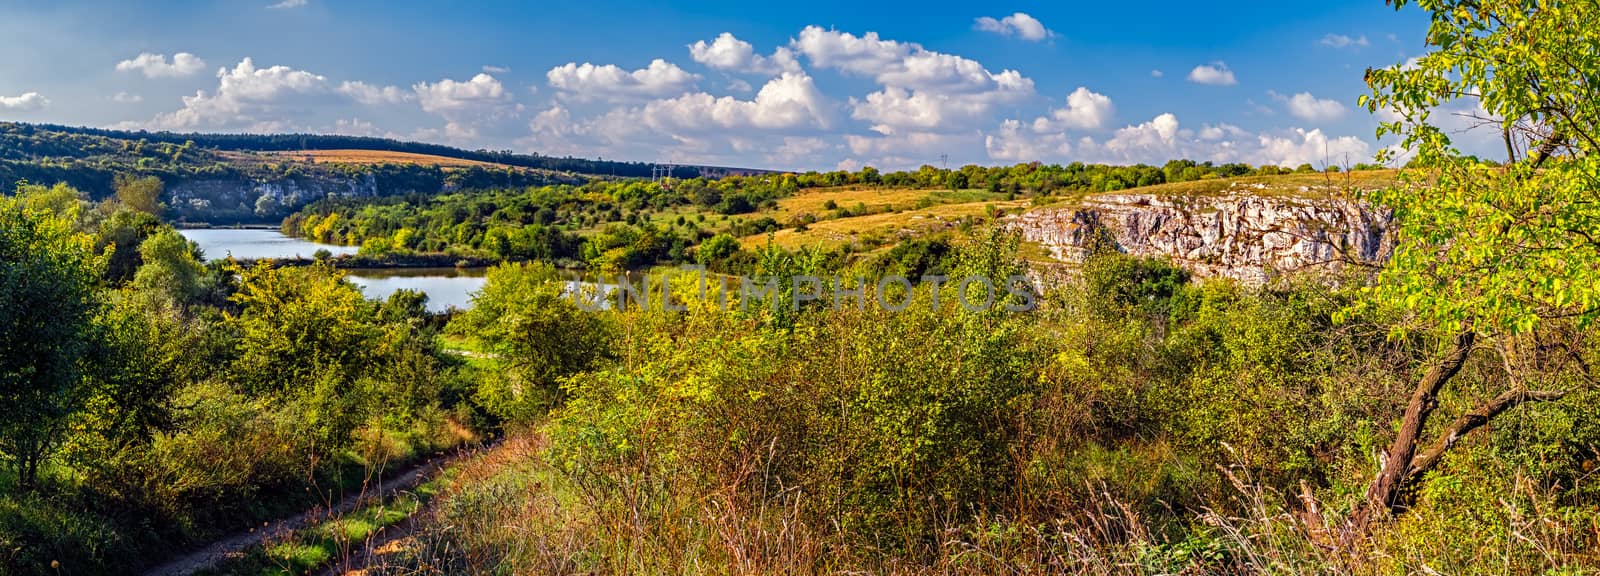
(49, 300)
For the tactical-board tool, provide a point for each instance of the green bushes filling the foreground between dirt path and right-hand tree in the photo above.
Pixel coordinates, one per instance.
(1137, 423)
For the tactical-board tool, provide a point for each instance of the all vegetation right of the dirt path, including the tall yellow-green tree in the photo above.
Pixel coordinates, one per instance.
(1431, 415)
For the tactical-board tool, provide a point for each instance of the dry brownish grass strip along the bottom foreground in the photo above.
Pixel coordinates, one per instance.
(513, 513)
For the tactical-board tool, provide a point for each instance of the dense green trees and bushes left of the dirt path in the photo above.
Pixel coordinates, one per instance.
(154, 404)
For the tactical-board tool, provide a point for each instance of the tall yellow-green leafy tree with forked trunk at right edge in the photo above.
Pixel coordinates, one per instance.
(1489, 254)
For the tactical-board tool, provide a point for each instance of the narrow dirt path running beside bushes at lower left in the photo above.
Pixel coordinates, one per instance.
(236, 545)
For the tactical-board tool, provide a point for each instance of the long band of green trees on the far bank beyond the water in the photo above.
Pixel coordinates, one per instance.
(628, 225)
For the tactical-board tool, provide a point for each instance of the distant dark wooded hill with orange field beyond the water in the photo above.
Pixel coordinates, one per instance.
(260, 178)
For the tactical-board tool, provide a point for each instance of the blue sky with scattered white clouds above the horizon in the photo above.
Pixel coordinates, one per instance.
(774, 86)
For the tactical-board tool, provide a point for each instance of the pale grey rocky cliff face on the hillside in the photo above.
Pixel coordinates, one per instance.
(1249, 234)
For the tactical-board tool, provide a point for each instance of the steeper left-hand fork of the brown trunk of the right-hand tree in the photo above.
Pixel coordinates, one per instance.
(1385, 490)
